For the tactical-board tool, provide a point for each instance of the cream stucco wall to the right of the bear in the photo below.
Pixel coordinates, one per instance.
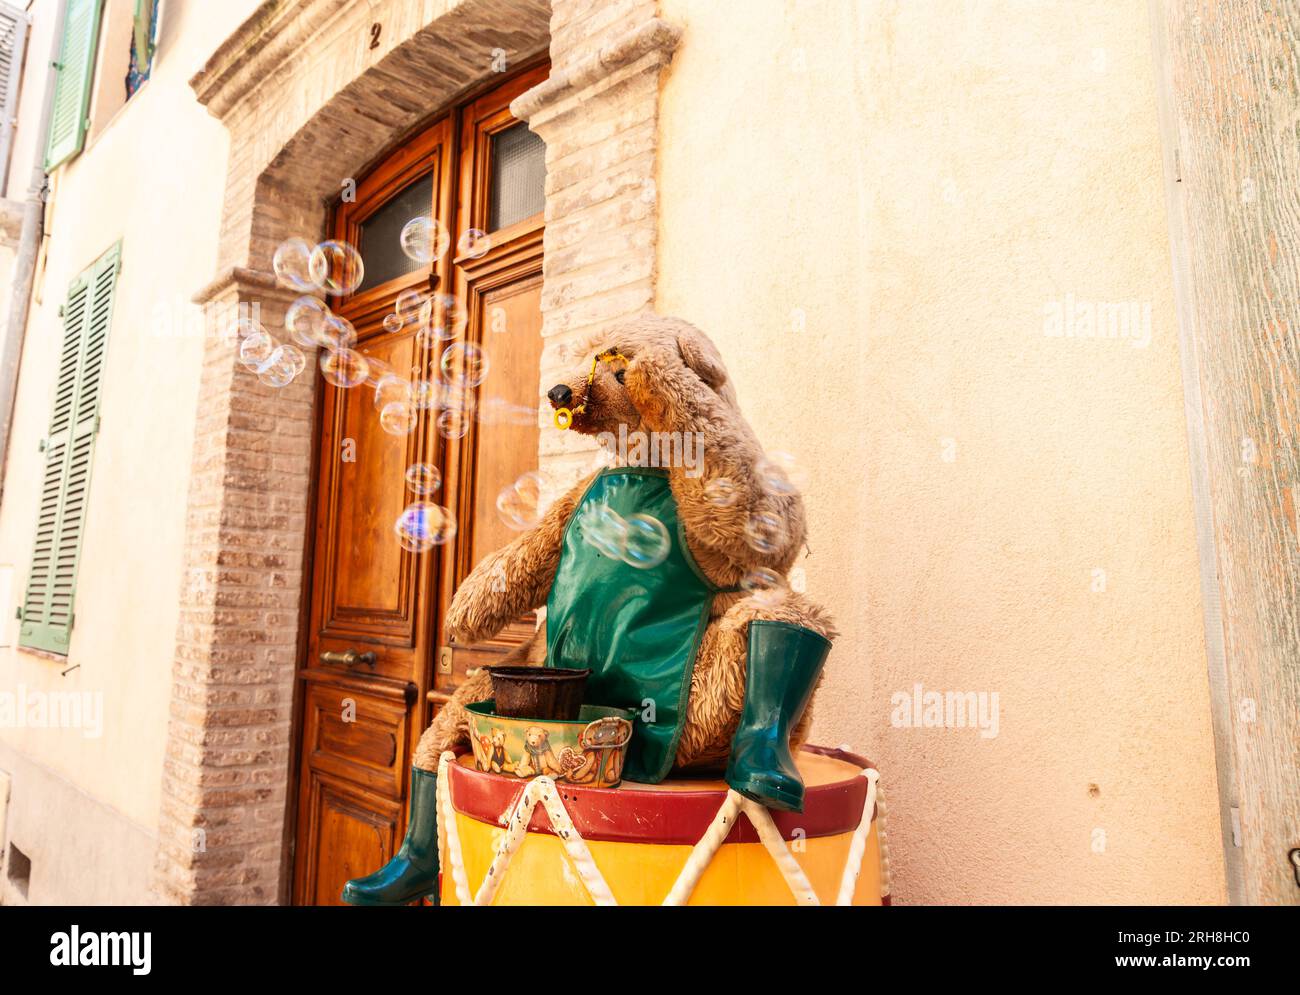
(872, 207)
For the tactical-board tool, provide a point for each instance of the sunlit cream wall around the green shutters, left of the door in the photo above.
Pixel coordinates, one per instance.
(154, 179)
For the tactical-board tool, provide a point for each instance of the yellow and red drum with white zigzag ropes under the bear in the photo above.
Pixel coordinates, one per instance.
(677, 843)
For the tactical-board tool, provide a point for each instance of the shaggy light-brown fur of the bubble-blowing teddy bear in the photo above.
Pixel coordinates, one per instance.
(675, 382)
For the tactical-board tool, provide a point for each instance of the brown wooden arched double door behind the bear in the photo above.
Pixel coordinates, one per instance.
(372, 673)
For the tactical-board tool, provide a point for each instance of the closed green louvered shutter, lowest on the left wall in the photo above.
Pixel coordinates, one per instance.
(47, 608)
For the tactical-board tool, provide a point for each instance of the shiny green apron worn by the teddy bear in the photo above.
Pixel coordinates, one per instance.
(638, 630)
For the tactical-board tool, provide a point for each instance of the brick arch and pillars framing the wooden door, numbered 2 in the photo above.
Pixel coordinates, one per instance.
(307, 105)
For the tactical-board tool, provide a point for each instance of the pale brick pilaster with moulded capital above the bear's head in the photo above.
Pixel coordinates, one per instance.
(599, 115)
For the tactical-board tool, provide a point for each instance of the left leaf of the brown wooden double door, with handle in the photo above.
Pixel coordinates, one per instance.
(369, 644)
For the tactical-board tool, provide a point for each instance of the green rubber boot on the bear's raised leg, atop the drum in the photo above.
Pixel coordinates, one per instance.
(785, 663)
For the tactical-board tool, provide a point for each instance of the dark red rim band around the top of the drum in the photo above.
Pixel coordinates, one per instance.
(678, 817)
